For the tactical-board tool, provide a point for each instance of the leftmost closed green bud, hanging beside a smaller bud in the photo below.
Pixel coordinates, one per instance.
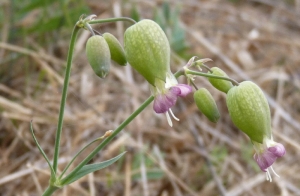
(98, 55)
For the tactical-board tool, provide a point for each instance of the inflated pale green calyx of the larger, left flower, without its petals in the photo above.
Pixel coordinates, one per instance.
(147, 50)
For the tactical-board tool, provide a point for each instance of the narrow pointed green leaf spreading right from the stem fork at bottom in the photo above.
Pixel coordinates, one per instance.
(92, 168)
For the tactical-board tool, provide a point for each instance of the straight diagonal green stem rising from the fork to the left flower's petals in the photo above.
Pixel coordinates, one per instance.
(65, 180)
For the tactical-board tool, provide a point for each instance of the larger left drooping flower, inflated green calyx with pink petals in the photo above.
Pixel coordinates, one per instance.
(147, 50)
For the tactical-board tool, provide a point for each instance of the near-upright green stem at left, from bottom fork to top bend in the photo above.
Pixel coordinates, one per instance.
(64, 96)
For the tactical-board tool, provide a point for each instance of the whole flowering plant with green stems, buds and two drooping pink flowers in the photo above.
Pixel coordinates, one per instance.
(147, 50)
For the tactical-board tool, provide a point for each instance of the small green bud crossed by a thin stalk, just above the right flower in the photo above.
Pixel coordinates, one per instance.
(221, 85)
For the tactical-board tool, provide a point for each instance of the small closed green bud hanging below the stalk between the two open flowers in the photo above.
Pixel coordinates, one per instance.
(206, 104)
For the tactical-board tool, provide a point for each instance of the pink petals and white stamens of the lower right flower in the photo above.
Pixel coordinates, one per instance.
(266, 154)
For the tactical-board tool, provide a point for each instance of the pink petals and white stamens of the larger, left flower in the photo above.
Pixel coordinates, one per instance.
(166, 94)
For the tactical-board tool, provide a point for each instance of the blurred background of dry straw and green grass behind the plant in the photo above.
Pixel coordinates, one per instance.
(254, 40)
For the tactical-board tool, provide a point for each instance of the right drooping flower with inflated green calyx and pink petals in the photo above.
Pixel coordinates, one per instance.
(250, 112)
